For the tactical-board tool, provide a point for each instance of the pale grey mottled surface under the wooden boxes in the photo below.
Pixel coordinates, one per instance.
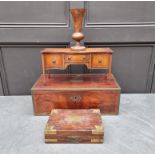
(132, 131)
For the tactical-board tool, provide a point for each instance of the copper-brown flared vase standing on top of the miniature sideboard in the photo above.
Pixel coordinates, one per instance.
(78, 15)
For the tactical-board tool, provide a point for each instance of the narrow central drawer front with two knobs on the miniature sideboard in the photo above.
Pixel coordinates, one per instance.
(77, 57)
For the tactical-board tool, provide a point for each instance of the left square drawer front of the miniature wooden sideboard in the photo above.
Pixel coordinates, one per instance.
(53, 60)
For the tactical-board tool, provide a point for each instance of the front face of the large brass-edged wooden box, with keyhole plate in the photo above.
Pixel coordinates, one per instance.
(45, 101)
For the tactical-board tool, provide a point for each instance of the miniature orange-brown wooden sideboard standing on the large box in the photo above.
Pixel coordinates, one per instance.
(60, 58)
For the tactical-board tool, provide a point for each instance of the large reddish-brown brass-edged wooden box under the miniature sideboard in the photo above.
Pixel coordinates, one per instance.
(73, 91)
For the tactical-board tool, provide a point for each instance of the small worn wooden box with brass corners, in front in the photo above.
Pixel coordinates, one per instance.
(74, 126)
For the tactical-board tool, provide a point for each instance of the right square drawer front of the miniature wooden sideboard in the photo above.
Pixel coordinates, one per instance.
(100, 60)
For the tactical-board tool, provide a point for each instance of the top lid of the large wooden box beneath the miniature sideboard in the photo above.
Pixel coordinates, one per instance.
(75, 82)
